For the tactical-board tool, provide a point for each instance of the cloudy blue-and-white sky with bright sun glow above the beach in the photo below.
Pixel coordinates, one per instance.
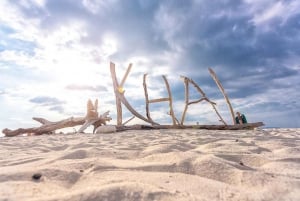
(55, 54)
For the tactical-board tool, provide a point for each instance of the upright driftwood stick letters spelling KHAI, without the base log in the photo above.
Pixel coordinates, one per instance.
(120, 99)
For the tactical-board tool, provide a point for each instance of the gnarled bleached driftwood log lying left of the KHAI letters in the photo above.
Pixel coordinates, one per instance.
(49, 127)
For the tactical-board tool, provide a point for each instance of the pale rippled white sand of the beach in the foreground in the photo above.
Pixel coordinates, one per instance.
(153, 165)
